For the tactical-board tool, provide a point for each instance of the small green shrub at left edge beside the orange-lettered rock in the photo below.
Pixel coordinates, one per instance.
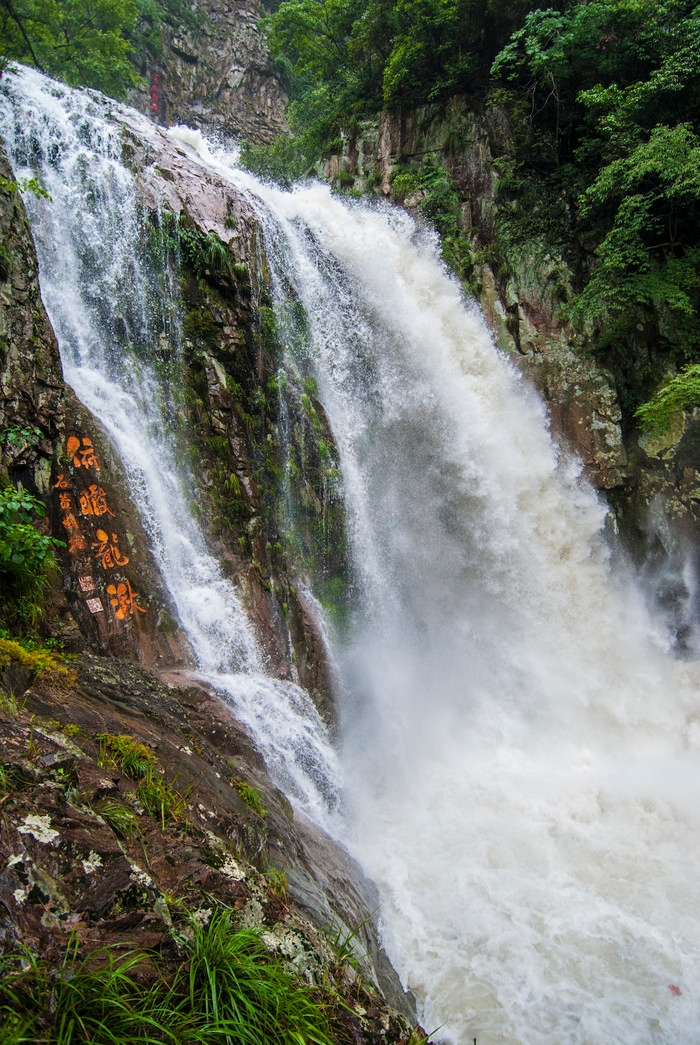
(27, 556)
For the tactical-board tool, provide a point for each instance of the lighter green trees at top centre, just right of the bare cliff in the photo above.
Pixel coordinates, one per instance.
(348, 59)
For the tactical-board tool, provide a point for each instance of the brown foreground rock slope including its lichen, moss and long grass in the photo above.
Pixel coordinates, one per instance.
(121, 924)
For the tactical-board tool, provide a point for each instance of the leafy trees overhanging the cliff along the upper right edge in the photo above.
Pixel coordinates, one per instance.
(598, 87)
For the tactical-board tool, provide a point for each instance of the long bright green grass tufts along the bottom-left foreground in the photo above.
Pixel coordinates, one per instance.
(227, 991)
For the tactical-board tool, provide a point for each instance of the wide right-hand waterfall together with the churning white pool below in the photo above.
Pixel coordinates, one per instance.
(522, 756)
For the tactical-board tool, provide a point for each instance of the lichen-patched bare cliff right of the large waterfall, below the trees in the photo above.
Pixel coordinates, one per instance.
(652, 491)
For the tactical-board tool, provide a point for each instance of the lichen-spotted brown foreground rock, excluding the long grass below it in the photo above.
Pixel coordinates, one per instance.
(83, 851)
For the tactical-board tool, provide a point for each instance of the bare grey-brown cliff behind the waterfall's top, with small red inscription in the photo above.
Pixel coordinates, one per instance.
(215, 74)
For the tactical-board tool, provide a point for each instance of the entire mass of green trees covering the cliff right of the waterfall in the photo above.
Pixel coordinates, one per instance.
(603, 102)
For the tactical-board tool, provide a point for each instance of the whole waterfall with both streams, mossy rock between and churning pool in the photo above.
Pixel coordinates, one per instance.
(517, 756)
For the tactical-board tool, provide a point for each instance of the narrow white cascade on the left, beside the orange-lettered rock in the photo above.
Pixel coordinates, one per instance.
(98, 292)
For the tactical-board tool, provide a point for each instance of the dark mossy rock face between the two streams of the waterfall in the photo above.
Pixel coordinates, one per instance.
(252, 430)
